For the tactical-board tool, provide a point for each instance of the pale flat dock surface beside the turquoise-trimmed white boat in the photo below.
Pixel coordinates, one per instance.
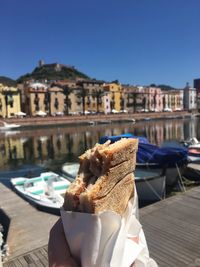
(29, 227)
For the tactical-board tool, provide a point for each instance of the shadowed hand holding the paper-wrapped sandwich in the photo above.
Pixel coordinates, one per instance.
(58, 249)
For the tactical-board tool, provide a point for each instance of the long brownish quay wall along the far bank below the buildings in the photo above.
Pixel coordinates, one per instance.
(96, 119)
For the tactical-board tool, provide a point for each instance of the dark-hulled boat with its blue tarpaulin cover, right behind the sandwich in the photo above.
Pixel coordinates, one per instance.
(169, 160)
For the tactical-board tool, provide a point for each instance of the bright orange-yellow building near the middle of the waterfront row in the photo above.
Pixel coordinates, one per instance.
(116, 96)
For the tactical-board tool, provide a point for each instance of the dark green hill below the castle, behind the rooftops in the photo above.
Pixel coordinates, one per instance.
(53, 72)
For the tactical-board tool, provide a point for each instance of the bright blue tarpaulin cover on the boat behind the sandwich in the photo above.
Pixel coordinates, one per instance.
(149, 153)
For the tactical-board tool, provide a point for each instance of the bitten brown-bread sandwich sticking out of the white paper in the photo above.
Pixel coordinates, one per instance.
(105, 180)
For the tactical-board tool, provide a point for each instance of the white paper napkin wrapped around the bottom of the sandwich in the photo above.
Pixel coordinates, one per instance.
(107, 239)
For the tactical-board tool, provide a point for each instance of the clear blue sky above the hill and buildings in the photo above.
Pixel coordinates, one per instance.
(134, 41)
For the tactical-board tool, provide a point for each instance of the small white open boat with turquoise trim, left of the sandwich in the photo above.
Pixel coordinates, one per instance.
(44, 191)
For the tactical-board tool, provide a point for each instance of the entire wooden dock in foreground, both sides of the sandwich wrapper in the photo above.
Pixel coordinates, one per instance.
(171, 226)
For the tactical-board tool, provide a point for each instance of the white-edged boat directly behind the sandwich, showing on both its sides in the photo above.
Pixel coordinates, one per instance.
(150, 185)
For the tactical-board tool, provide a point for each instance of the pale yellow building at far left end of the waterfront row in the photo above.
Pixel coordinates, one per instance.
(10, 102)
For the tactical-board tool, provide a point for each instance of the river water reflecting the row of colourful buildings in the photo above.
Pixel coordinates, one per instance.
(54, 146)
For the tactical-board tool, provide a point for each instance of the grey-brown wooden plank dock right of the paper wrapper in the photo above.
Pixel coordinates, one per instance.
(172, 229)
